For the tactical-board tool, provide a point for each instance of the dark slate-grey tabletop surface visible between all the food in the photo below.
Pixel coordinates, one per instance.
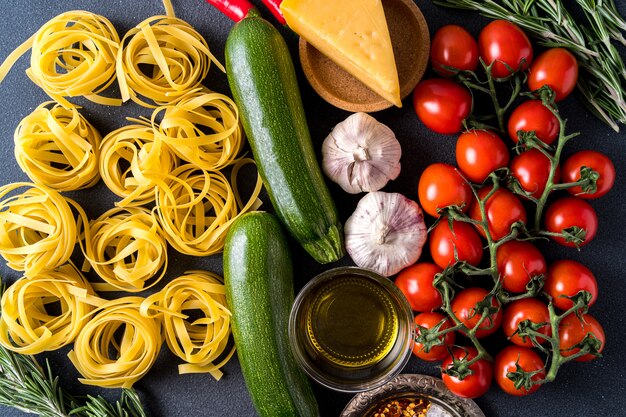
(580, 389)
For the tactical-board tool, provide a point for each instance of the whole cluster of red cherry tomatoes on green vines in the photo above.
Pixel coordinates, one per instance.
(489, 209)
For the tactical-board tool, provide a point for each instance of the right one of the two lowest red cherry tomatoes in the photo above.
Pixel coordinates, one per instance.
(517, 358)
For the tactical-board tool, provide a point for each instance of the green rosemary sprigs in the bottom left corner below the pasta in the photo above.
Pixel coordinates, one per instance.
(26, 386)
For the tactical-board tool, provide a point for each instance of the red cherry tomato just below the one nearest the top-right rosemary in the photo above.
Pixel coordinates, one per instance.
(532, 115)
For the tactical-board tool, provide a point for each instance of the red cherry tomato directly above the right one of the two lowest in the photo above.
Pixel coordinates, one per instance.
(525, 309)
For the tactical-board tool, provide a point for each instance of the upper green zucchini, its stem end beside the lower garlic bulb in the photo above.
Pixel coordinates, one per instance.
(263, 83)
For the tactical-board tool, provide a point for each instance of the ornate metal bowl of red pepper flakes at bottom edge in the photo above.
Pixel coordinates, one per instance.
(411, 395)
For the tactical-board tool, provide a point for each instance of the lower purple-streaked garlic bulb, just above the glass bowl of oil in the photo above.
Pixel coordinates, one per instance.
(386, 233)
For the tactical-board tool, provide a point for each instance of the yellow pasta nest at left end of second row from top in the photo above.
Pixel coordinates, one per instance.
(58, 147)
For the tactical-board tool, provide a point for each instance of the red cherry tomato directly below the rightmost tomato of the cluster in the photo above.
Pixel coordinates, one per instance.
(569, 212)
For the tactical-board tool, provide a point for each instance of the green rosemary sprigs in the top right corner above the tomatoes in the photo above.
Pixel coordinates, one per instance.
(603, 79)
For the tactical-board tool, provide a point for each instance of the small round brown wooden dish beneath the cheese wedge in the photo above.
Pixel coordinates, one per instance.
(411, 45)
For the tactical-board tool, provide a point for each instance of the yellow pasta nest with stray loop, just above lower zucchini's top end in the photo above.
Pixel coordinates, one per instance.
(197, 208)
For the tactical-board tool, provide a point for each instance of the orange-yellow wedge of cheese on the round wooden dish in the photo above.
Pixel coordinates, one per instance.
(352, 33)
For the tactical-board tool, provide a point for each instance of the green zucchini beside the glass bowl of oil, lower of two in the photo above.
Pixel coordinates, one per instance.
(259, 290)
